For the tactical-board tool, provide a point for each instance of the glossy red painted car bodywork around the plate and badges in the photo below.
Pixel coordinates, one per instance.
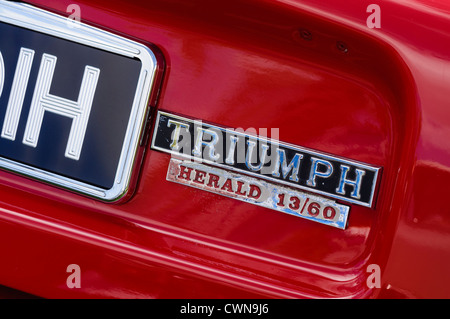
(244, 64)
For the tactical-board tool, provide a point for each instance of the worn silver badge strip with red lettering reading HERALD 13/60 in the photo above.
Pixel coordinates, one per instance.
(258, 192)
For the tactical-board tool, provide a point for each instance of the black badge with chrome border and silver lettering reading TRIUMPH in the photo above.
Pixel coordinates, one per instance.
(269, 159)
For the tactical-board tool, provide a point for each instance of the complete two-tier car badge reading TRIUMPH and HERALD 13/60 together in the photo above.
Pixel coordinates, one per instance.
(281, 176)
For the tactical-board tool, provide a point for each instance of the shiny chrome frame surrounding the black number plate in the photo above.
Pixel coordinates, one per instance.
(30, 18)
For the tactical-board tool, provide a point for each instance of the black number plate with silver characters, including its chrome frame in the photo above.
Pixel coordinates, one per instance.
(73, 101)
